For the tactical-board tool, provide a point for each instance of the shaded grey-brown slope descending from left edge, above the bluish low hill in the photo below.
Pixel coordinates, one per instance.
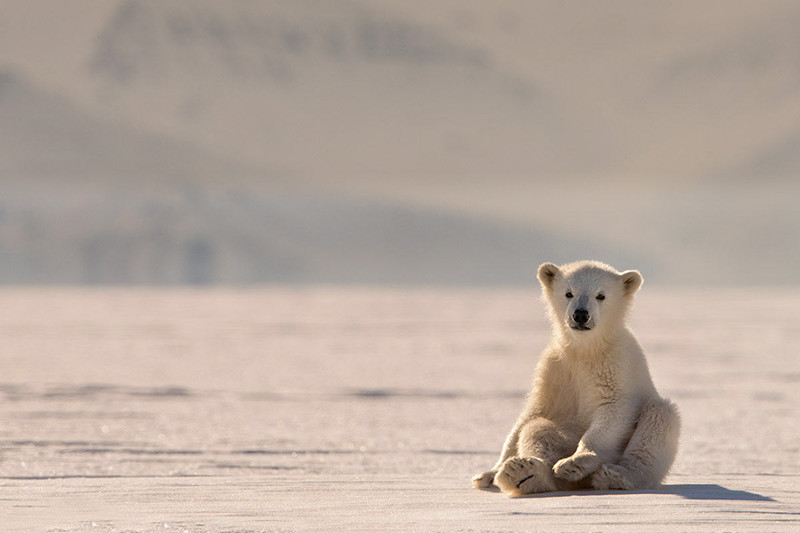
(47, 140)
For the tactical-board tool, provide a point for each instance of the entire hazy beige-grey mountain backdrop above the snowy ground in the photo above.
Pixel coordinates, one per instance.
(451, 142)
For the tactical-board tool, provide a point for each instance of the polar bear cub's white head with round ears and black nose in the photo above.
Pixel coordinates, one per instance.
(587, 297)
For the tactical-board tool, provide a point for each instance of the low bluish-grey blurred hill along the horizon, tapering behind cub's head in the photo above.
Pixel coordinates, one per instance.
(202, 236)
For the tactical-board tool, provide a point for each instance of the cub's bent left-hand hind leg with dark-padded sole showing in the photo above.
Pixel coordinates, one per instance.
(541, 444)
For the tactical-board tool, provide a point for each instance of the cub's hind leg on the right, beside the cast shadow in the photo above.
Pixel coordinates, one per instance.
(649, 453)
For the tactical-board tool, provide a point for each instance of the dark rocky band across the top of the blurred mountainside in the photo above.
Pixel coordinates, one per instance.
(267, 41)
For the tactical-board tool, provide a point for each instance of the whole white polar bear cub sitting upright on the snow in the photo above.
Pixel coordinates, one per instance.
(593, 418)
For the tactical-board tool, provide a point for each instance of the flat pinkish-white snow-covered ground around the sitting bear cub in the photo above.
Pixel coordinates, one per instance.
(353, 409)
